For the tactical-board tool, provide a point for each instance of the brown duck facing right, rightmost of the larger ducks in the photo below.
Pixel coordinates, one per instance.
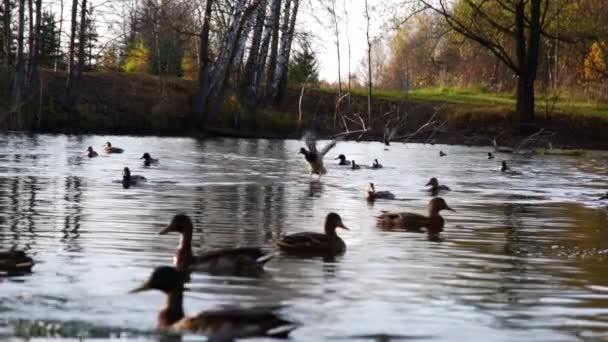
(410, 221)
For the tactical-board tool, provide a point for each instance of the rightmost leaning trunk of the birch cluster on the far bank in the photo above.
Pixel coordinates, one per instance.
(279, 85)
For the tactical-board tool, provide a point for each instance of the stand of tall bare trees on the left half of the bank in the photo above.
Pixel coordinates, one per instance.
(239, 48)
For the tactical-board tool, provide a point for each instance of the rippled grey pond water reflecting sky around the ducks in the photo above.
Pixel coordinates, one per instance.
(523, 258)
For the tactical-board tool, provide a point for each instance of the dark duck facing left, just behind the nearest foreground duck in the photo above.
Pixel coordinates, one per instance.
(242, 261)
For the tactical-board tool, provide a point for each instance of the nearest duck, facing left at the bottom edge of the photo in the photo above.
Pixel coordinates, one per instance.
(225, 324)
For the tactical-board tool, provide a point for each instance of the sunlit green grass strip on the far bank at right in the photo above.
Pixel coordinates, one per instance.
(476, 97)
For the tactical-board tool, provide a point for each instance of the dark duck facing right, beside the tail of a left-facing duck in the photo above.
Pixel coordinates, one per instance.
(328, 244)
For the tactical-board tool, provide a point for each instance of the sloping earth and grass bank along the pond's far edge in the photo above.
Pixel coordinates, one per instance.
(118, 103)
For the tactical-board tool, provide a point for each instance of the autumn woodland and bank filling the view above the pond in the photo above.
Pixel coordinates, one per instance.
(172, 65)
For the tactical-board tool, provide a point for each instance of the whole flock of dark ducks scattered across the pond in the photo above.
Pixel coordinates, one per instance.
(238, 322)
